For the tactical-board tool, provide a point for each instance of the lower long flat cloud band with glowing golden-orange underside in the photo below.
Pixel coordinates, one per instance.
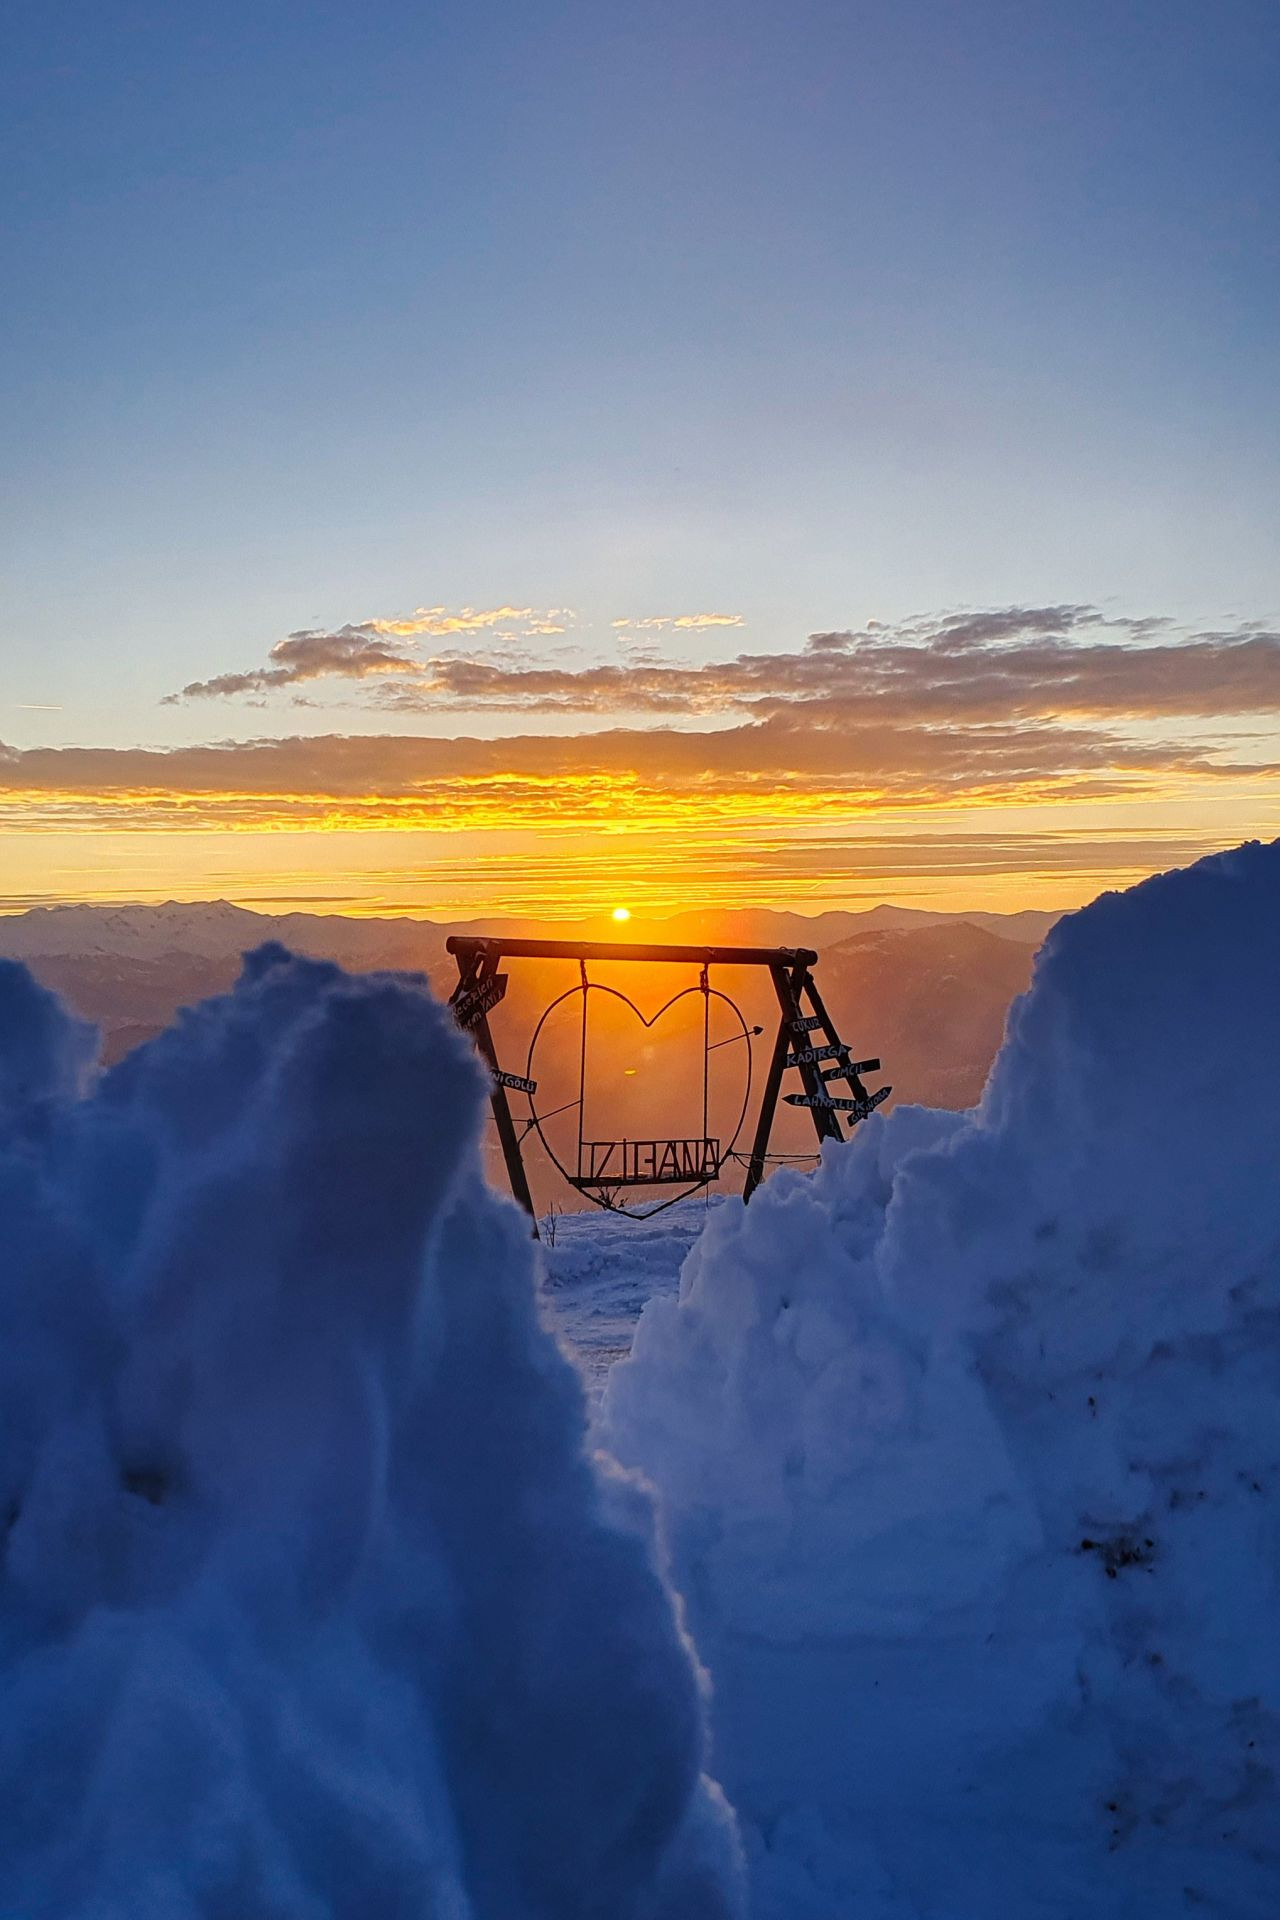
(786, 763)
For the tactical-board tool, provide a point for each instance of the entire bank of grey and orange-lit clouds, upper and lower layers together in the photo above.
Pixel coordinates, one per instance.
(1024, 704)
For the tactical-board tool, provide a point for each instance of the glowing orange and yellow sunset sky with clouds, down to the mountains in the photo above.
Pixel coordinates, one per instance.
(1020, 757)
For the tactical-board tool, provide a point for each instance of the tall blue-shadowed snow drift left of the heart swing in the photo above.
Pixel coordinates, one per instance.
(312, 1602)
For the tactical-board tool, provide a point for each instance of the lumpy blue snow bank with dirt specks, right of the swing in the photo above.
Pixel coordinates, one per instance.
(970, 1451)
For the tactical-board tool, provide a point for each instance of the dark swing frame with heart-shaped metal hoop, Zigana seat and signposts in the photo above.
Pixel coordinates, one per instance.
(607, 1170)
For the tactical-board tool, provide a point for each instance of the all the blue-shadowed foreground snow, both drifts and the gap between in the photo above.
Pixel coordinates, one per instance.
(329, 1589)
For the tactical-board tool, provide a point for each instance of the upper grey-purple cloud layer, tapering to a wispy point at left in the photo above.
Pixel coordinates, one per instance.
(1014, 667)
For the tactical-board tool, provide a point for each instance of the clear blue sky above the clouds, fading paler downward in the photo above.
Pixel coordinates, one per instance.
(813, 314)
